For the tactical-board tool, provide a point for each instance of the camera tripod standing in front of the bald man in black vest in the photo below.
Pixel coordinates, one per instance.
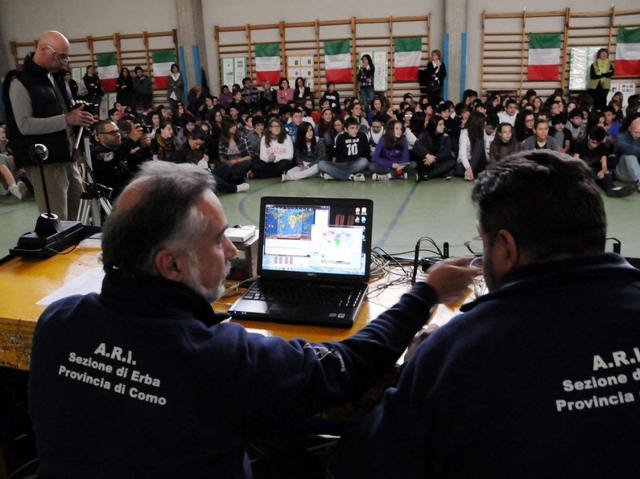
(95, 198)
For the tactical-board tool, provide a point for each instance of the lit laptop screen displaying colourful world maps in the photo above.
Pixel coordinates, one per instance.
(316, 237)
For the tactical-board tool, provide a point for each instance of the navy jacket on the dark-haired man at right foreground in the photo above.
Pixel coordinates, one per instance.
(539, 378)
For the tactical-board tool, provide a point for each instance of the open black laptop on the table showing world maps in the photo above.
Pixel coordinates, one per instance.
(314, 258)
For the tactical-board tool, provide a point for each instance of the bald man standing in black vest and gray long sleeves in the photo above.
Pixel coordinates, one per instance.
(40, 109)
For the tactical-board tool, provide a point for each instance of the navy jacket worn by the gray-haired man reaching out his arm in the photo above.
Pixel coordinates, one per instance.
(194, 387)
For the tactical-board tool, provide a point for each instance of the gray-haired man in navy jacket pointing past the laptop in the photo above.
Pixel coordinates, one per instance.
(146, 380)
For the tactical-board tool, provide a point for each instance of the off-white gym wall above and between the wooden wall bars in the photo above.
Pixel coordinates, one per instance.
(24, 20)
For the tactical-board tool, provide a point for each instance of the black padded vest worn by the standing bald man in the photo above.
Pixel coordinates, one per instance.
(44, 103)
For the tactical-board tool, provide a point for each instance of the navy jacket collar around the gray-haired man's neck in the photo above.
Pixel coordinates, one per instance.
(156, 297)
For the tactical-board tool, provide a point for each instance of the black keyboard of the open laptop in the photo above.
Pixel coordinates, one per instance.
(304, 292)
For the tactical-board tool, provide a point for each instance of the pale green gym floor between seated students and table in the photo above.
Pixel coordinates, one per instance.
(403, 212)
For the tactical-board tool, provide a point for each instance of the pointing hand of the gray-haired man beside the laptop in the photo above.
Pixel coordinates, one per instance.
(451, 278)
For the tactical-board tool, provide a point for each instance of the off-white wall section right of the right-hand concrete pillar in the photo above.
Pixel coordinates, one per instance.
(474, 22)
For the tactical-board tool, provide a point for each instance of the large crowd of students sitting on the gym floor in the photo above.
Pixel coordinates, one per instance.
(246, 133)
